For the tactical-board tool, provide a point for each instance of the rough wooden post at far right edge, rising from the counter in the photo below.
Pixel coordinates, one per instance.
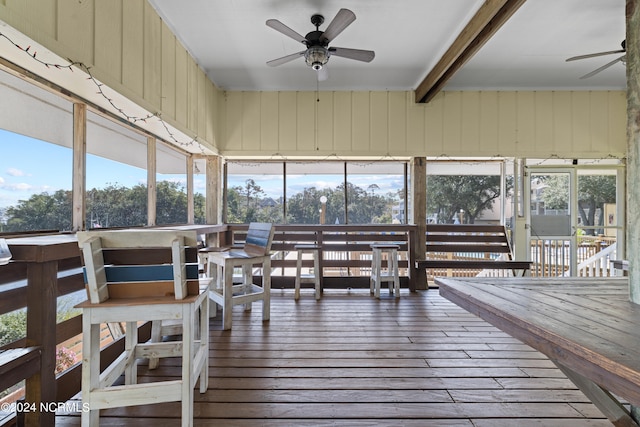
(633, 146)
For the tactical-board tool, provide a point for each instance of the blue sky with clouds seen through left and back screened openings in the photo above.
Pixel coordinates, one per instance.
(29, 166)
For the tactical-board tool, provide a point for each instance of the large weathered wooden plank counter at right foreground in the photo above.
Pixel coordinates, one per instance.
(588, 327)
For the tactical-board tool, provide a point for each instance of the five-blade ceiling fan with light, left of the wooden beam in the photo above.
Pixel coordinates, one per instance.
(318, 51)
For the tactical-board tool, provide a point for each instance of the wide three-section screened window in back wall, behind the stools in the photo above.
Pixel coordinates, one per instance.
(308, 192)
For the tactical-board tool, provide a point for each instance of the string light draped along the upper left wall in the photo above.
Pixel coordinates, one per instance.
(130, 118)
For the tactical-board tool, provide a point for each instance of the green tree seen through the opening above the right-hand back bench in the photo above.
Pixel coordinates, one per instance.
(447, 195)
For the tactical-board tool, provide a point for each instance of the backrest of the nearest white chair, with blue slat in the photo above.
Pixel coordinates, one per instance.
(139, 263)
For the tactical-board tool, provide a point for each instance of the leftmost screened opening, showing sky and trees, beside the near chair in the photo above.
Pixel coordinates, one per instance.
(36, 159)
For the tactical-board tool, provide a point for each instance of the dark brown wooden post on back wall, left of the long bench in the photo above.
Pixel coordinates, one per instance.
(419, 197)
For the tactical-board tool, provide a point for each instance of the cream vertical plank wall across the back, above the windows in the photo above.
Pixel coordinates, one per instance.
(535, 124)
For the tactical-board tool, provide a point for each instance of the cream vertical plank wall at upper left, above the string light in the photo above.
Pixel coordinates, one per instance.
(129, 49)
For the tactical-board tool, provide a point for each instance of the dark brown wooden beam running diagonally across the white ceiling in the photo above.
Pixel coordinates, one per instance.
(484, 24)
